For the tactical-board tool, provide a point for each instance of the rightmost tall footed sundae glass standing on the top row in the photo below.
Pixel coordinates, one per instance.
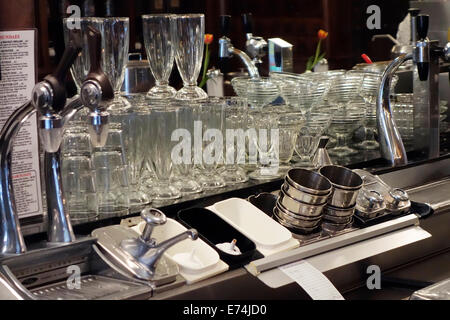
(188, 32)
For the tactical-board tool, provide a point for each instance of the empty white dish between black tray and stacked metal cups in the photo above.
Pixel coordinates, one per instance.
(253, 223)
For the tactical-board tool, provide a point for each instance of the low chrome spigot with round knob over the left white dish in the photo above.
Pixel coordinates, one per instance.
(144, 248)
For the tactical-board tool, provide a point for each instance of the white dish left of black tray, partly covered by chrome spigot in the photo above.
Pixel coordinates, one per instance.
(208, 260)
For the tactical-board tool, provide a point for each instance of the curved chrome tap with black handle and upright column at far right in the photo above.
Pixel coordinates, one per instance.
(425, 57)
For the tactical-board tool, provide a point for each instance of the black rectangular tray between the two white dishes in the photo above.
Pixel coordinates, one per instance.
(214, 230)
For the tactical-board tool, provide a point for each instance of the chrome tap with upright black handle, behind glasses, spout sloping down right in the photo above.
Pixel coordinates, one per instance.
(227, 50)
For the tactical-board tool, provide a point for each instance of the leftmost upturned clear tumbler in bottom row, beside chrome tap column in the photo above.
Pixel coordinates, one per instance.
(78, 179)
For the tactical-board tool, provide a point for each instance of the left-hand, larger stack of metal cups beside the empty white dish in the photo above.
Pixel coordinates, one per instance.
(302, 199)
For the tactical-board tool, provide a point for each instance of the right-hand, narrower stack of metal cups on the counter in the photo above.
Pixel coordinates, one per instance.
(339, 211)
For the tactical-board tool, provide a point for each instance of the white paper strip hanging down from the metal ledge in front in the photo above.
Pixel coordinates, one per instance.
(314, 282)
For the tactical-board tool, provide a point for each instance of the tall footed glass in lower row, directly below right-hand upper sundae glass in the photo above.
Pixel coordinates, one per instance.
(182, 157)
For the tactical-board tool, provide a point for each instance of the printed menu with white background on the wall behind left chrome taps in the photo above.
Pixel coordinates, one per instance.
(17, 79)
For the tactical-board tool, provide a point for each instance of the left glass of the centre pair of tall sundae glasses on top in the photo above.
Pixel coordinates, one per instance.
(160, 52)
